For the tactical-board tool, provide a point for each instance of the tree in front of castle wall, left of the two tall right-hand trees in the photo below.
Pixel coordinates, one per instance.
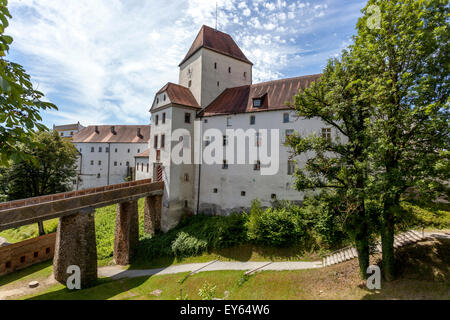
(338, 163)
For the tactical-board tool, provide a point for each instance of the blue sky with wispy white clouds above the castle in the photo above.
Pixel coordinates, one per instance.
(102, 61)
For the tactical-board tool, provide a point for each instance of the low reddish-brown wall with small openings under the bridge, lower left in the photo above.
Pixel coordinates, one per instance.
(23, 254)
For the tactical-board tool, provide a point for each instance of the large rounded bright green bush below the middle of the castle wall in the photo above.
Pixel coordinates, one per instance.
(281, 226)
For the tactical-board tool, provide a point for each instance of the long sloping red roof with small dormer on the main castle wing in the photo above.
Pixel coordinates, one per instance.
(275, 95)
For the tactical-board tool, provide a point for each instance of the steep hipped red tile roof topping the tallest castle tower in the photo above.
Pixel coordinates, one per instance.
(218, 41)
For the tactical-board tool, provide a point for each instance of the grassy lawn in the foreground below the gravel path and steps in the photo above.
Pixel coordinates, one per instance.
(424, 275)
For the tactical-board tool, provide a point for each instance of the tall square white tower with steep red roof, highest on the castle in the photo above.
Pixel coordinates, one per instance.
(213, 63)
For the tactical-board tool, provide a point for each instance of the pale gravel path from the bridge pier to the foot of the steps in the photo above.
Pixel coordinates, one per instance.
(116, 272)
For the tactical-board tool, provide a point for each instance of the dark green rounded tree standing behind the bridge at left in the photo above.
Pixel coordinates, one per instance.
(50, 168)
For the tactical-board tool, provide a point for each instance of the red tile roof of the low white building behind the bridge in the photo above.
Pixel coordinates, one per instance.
(123, 134)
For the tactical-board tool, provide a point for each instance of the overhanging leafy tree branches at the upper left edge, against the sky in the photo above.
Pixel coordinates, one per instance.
(20, 103)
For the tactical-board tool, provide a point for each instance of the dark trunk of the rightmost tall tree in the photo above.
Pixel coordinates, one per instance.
(387, 238)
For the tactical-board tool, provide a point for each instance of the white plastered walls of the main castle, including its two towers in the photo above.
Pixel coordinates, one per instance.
(211, 188)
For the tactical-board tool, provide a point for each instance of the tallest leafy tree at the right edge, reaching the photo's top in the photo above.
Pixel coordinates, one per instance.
(406, 80)
